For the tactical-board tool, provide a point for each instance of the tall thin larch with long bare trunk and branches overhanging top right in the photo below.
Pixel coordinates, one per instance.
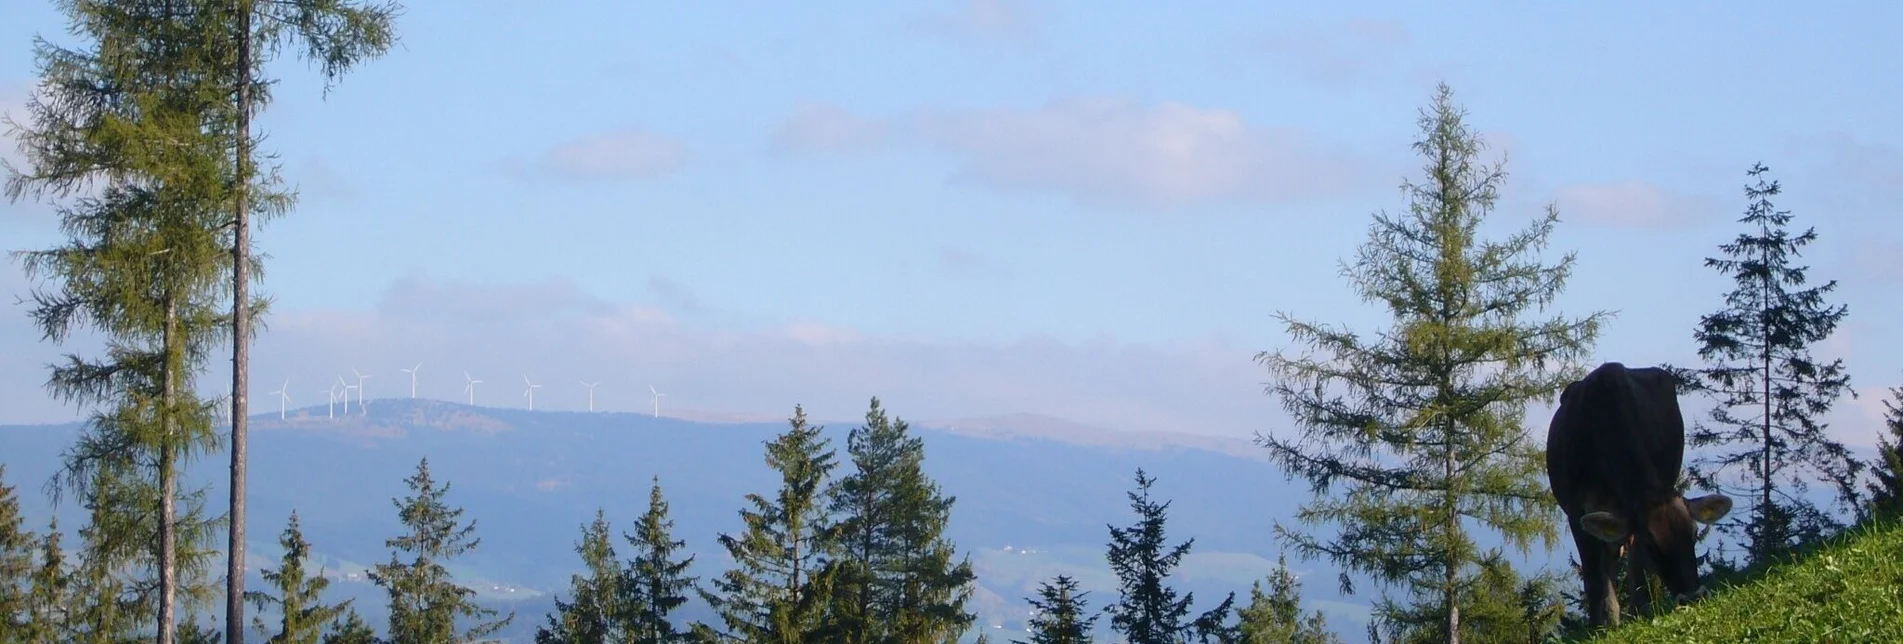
(338, 35)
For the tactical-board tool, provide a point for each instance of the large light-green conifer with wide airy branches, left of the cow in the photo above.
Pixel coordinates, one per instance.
(1417, 435)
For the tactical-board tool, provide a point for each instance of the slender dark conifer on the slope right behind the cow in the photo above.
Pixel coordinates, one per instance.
(1767, 430)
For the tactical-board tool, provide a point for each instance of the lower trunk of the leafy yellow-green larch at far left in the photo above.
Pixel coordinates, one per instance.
(168, 479)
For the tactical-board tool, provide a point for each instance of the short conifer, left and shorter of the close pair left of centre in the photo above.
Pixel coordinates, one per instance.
(595, 601)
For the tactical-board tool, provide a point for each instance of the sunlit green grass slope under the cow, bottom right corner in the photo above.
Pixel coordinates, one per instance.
(1849, 590)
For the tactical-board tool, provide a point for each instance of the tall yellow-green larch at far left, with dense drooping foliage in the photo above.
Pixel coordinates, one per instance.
(125, 138)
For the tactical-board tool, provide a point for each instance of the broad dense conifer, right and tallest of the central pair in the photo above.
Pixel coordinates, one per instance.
(895, 573)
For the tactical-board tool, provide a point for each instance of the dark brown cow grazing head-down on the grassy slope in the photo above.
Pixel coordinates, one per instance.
(1615, 453)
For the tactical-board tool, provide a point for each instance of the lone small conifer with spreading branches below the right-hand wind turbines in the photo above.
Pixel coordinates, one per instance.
(425, 601)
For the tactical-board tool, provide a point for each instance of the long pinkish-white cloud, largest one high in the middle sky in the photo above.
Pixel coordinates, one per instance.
(1103, 150)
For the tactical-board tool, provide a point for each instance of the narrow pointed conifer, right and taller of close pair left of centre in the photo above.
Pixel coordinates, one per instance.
(656, 582)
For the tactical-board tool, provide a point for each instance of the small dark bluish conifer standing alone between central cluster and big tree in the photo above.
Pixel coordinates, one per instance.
(1148, 611)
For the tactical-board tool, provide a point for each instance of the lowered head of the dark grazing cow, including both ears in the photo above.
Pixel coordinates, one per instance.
(1666, 538)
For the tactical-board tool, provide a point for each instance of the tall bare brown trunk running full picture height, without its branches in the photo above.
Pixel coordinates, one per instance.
(241, 336)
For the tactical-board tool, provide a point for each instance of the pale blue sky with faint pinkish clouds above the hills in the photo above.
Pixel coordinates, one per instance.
(996, 207)
